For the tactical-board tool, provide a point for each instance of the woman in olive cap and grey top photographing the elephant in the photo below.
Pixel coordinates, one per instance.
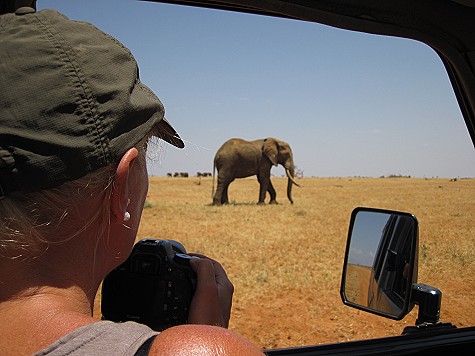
(75, 122)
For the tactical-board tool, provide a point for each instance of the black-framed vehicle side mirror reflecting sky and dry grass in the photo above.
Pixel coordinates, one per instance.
(380, 265)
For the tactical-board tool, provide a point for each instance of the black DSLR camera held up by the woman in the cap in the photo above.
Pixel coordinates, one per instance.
(154, 286)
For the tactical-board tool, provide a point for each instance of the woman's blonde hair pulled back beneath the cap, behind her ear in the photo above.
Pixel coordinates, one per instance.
(29, 223)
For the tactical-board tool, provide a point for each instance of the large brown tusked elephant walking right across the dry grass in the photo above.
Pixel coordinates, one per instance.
(238, 158)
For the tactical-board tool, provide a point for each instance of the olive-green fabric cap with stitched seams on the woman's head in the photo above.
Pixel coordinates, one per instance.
(71, 101)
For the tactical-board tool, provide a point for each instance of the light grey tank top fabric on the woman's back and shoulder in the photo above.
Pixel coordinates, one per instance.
(101, 338)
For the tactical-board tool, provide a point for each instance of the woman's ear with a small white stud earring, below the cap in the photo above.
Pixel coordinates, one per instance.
(120, 194)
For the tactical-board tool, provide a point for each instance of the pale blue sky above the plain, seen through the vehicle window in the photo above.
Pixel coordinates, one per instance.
(349, 104)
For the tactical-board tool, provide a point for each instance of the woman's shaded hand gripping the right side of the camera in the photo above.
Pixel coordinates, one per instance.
(211, 303)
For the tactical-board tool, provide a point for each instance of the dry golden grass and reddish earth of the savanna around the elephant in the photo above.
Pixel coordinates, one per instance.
(285, 260)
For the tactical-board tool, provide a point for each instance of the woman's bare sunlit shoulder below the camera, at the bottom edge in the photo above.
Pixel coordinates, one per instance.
(202, 340)
